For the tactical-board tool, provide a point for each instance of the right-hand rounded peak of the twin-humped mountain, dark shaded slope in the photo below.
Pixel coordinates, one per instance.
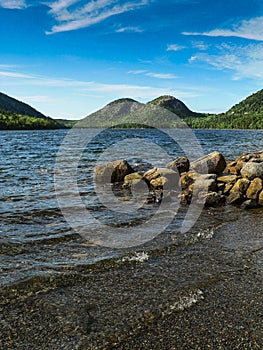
(176, 106)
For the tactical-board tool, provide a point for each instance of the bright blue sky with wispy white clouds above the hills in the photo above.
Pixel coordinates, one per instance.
(68, 58)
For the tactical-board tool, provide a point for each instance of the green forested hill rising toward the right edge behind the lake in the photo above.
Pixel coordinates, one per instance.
(247, 114)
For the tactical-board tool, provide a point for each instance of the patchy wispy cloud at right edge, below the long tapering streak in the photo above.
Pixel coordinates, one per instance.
(244, 61)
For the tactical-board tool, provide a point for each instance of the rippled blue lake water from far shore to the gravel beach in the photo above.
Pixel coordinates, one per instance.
(36, 240)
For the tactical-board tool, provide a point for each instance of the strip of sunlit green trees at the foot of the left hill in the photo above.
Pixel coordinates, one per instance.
(12, 121)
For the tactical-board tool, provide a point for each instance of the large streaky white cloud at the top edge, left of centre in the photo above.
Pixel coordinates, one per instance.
(76, 14)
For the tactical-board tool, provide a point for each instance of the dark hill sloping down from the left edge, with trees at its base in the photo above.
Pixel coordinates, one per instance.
(17, 115)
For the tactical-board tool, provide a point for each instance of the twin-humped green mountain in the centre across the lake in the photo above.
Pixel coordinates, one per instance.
(163, 112)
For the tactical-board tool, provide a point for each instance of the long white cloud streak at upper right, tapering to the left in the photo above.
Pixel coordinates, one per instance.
(247, 29)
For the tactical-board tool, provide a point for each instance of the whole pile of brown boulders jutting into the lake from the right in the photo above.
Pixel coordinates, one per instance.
(210, 179)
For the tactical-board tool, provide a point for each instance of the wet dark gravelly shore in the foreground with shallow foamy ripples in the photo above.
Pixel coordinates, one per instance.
(206, 295)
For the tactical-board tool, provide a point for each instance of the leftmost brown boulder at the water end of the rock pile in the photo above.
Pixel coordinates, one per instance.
(113, 172)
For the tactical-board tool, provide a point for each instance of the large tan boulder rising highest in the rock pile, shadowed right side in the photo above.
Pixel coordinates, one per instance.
(213, 163)
